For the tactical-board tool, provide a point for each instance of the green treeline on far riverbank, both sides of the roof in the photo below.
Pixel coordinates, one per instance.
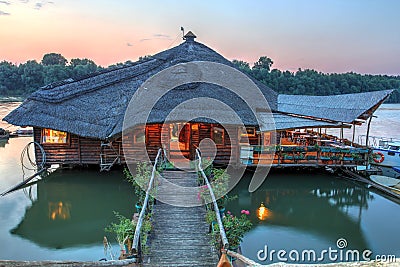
(23, 79)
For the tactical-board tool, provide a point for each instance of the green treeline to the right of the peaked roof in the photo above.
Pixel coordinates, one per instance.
(311, 82)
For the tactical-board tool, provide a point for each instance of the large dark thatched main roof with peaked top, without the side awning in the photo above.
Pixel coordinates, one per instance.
(95, 106)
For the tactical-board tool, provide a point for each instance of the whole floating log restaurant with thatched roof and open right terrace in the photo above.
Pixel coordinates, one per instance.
(80, 122)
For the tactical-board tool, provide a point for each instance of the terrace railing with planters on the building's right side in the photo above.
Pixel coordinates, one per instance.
(284, 155)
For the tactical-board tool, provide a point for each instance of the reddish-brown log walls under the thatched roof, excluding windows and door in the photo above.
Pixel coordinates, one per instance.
(86, 151)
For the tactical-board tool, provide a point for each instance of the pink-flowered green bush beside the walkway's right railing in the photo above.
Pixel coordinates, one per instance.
(235, 229)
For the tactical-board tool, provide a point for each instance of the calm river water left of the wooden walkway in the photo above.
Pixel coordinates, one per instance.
(61, 217)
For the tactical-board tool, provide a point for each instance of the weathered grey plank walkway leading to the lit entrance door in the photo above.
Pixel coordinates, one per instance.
(179, 236)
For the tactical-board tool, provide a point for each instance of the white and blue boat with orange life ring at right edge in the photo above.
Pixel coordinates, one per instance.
(387, 154)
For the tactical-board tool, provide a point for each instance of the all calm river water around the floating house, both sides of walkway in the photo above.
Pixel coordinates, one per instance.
(63, 216)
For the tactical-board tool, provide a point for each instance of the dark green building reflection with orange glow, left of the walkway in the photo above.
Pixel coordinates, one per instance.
(73, 207)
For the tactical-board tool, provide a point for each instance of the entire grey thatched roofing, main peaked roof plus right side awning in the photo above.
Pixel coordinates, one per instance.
(95, 106)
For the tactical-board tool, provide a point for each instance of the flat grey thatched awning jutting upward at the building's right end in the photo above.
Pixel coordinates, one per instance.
(340, 108)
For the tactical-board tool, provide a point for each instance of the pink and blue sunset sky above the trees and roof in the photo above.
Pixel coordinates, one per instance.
(326, 35)
